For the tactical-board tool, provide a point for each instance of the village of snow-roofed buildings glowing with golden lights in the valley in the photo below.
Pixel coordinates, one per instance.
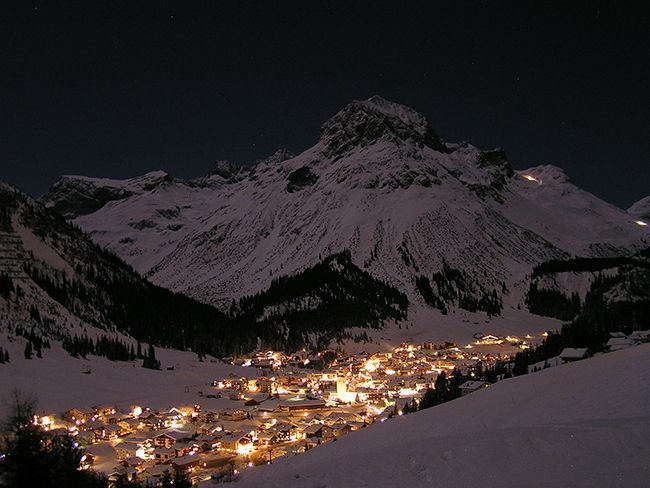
(285, 411)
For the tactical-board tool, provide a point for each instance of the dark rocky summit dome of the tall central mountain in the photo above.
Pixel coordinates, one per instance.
(362, 123)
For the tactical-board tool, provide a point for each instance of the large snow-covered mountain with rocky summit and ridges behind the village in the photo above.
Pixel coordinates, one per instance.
(380, 183)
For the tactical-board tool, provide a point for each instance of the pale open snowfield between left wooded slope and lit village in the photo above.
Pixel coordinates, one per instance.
(57, 381)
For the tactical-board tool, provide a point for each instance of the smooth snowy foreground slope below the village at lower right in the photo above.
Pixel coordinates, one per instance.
(583, 424)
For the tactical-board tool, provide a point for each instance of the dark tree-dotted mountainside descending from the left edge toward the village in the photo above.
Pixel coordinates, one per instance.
(56, 280)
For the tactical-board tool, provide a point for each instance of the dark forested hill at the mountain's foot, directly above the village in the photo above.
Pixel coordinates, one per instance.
(319, 304)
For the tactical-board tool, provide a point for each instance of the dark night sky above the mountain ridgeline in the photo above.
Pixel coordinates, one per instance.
(118, 91)
